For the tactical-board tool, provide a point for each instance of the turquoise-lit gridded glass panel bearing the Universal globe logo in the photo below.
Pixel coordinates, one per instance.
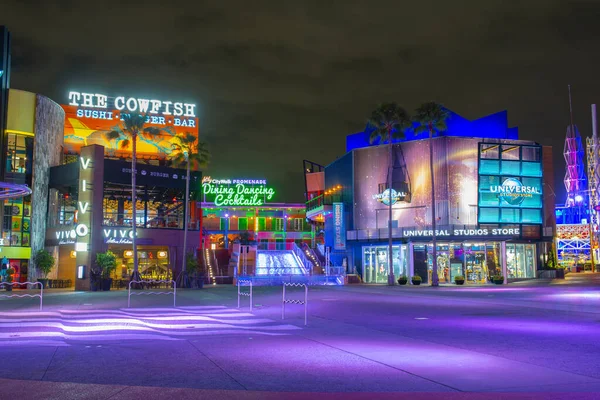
(510, 185)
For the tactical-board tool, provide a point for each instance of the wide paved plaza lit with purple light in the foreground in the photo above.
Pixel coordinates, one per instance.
(527, 340)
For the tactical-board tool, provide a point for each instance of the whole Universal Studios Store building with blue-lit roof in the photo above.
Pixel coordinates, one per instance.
(494, 208)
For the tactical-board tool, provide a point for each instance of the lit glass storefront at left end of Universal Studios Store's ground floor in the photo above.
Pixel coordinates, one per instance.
(376, 263)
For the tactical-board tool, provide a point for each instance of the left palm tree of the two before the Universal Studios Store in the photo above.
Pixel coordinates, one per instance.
(389, 121)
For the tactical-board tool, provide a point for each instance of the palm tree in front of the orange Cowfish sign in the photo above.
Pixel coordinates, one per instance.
(134, 126)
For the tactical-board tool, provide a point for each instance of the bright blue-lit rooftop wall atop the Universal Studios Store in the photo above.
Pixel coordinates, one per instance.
(494, 126)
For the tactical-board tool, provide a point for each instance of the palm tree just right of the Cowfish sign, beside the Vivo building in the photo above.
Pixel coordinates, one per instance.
(188, 151)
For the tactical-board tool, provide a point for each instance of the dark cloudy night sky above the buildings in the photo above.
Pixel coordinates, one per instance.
(277, 82)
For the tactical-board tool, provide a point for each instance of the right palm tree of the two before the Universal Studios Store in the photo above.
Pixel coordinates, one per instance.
(432, 117)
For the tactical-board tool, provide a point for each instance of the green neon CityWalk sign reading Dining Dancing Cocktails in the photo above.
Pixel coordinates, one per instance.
(237, 192)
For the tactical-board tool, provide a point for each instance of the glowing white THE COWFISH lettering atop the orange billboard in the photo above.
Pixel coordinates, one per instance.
(132, 104)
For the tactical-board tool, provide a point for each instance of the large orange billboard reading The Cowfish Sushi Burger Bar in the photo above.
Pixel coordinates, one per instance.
(89, 117)
